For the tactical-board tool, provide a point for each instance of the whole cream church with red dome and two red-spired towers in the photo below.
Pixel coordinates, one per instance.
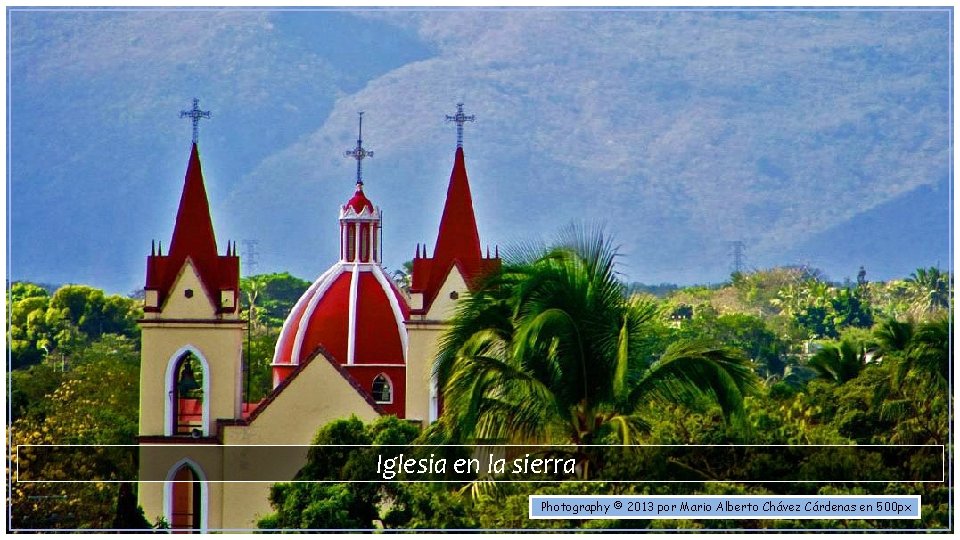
(354, 344)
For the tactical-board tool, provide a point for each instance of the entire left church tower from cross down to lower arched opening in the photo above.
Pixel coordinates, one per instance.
(190, 360)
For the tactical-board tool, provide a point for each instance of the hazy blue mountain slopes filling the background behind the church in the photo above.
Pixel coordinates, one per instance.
(817, 137)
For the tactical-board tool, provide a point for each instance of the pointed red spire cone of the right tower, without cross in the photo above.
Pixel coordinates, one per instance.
(458, 238)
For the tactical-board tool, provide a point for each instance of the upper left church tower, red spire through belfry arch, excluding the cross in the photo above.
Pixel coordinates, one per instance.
(192, 333)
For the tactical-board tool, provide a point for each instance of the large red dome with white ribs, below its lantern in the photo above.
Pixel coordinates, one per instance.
(353, 312)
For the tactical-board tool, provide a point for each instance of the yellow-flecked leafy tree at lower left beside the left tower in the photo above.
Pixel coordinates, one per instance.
(95, 403)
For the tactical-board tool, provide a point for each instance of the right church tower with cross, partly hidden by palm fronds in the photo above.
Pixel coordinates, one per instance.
(439, 280)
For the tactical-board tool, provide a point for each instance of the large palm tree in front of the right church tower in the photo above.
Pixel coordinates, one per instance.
(549, 350)
